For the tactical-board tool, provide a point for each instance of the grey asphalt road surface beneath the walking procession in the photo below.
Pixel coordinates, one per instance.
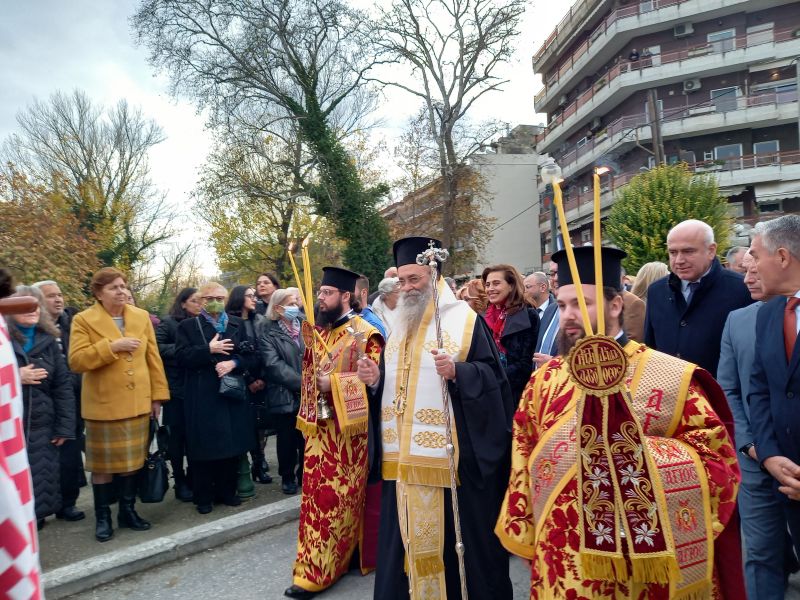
(256, 567)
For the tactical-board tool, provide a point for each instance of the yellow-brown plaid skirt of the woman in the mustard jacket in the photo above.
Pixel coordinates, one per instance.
(117, 446)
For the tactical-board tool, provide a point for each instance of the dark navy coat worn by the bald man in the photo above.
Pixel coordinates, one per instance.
(693, 332)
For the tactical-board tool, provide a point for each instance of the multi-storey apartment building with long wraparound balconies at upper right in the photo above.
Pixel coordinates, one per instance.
(724, 76)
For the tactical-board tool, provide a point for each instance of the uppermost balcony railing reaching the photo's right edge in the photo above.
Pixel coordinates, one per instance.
(648, 62)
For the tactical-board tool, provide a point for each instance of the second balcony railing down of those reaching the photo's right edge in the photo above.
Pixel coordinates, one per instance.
(718, 105)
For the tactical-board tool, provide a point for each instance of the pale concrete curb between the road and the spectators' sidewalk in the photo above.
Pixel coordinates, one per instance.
(98, 570)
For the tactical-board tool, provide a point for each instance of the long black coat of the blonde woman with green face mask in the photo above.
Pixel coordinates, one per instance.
(216, 427)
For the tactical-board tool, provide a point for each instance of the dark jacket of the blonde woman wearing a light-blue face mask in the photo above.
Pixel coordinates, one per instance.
(283, 362)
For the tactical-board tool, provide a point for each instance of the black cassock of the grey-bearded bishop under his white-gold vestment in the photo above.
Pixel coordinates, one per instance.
(483, 407)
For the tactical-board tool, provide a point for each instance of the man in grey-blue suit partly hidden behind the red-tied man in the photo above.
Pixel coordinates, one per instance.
(767, 563)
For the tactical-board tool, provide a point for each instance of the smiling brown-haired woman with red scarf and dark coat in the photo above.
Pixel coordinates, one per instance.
(513, 323)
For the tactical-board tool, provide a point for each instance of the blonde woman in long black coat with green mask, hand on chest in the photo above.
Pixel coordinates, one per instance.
(219, 429)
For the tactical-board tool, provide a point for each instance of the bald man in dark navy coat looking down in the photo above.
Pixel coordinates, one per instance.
(686, 311)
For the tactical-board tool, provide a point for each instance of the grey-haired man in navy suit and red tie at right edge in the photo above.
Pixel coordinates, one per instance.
(775, 379)
